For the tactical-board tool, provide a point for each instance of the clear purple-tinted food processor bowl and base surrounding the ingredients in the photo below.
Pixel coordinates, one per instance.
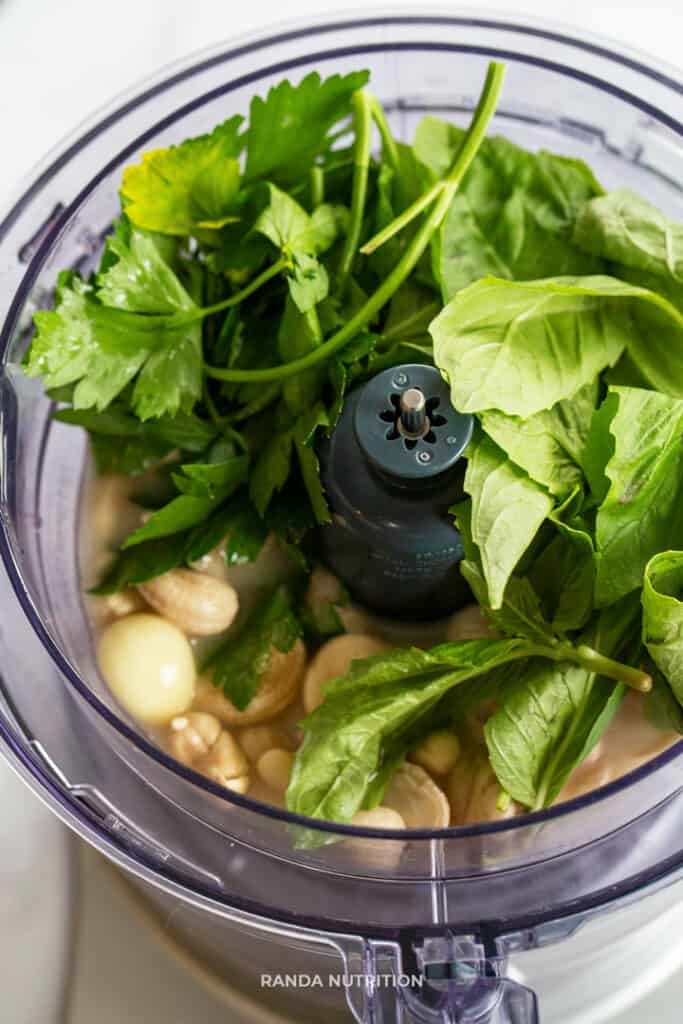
(565, 916)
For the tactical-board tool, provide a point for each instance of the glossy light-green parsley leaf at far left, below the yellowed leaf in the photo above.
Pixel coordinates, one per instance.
(102, 349)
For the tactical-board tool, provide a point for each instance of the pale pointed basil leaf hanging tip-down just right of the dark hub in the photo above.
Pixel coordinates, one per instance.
(507, 510)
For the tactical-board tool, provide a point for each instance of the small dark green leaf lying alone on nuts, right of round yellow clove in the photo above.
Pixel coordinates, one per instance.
(239, 664)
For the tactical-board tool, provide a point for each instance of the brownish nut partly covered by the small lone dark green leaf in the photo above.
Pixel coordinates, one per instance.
(278, 688)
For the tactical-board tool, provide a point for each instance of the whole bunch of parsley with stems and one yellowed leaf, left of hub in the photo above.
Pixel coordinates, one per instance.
(241, 289)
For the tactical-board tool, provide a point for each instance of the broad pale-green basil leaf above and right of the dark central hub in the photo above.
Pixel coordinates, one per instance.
(521, 348)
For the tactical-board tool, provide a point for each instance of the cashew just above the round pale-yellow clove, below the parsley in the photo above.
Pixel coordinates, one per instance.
(197, 604)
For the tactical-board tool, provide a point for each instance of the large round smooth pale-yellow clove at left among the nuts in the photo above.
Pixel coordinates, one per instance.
(149, 666)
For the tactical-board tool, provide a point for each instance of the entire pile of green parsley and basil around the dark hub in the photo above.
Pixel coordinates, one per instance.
(260, 272)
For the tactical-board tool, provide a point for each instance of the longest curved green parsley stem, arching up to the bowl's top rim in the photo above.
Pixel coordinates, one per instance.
(407, 264)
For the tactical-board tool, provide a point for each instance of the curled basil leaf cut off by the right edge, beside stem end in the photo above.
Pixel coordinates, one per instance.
(663, 616)
